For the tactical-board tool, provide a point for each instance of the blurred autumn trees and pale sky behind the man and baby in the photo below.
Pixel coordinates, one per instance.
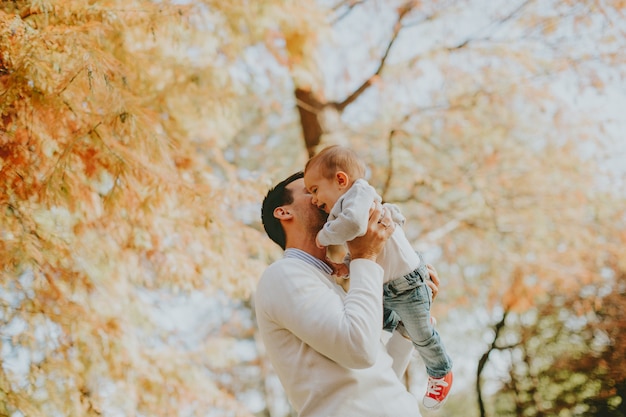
(138, 138)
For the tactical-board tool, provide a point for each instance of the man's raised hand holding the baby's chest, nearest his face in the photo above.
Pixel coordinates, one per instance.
(378, 231)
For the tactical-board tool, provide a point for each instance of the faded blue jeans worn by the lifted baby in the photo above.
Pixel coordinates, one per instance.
(408, 299)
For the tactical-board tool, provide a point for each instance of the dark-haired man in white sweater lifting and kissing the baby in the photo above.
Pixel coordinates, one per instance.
(326, 345)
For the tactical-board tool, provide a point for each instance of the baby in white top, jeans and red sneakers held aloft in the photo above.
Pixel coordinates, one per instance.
(335, 179)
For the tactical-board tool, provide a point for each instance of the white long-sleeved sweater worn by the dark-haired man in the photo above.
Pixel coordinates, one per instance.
(326, 345)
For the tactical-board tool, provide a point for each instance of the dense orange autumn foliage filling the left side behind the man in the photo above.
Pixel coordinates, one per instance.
(114, 191)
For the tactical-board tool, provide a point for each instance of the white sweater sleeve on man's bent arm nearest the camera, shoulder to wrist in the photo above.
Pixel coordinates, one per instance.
(345, 329)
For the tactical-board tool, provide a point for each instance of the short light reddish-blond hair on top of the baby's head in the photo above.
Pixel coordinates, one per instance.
(337, 158)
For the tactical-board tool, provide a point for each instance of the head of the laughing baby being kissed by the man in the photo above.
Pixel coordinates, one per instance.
(330, 173)
